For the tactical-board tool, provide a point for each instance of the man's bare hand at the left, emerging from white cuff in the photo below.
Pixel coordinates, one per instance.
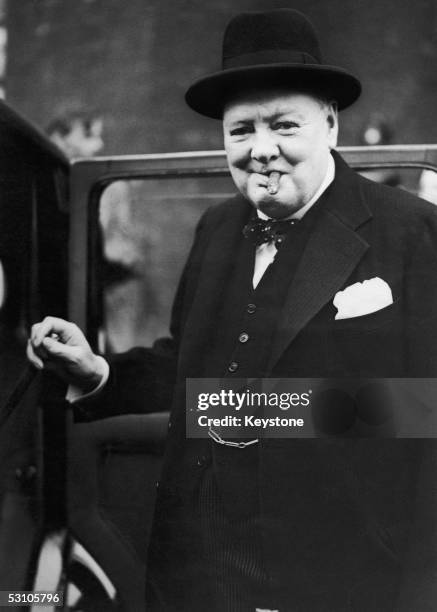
(60, 347)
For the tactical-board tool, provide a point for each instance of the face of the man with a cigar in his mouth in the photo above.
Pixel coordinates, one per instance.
(287, 132)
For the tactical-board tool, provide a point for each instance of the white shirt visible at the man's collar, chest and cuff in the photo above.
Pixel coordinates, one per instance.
(265, 255)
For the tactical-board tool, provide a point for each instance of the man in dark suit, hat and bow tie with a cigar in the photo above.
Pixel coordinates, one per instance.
(311, 271)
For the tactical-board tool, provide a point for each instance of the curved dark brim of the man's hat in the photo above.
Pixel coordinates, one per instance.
(209, 95)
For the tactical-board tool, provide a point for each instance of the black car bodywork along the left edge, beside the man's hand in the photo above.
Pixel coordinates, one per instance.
(33, 226)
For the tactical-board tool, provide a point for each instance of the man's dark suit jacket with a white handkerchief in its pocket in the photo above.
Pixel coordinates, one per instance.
(340, 516)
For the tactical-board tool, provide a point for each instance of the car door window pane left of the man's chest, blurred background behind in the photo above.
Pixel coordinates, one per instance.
(146, 229)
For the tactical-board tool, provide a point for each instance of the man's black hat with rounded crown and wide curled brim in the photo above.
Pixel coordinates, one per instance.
(272, 48)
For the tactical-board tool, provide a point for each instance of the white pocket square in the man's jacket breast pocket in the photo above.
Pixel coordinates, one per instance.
(362, 298)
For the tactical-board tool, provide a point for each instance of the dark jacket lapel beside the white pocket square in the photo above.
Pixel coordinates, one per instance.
(330, 256)
